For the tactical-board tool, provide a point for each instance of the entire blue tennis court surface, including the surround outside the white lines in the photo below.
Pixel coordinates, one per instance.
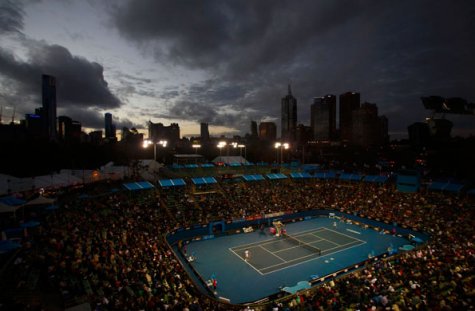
(319, 249)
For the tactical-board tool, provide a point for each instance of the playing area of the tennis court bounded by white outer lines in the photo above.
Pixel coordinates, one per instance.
(287, 251)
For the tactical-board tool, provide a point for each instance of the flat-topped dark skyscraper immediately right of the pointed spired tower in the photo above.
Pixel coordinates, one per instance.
(323, 117)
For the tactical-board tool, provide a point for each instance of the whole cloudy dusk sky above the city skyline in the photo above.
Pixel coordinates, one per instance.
(229, 62)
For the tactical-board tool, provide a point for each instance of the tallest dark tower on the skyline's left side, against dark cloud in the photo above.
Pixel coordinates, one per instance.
(49, 106)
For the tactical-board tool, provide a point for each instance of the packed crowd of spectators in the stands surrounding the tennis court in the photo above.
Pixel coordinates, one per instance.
(110, 250)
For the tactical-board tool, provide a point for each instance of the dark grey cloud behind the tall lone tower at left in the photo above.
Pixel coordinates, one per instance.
(79, 81)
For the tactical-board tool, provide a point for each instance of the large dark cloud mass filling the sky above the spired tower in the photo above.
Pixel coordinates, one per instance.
(392, 52)
